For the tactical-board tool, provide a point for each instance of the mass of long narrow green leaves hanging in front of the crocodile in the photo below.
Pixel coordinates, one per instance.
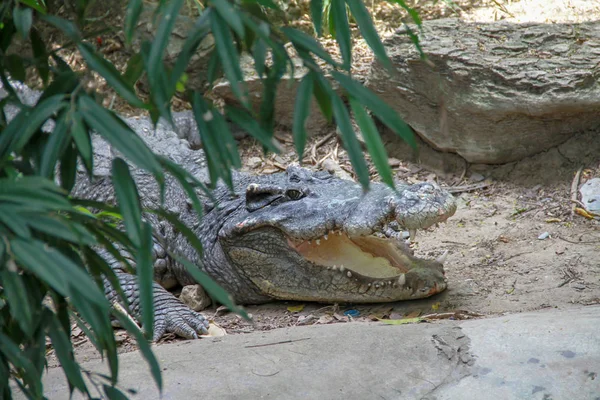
(51, 270)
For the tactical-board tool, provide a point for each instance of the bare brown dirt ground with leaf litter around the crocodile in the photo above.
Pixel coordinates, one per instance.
(513, 246)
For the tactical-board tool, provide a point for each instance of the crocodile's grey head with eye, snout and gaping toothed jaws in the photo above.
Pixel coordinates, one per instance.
(309, 236)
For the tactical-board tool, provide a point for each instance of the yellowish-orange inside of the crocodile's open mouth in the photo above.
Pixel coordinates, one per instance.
(378, 258)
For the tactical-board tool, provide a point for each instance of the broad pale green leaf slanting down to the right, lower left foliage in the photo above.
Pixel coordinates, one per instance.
(56, 270)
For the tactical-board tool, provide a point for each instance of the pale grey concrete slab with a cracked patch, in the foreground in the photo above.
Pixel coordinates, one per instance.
(543, 355)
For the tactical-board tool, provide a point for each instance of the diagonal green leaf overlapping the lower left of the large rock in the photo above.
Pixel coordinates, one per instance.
(377, 106)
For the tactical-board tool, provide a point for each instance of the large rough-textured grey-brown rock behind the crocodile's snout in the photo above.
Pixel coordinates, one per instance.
(495, 93)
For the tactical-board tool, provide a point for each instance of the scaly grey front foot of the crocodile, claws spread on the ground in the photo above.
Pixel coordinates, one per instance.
(171, 315)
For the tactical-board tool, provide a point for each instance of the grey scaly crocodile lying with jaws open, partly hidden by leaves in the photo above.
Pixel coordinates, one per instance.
(295, 235)
